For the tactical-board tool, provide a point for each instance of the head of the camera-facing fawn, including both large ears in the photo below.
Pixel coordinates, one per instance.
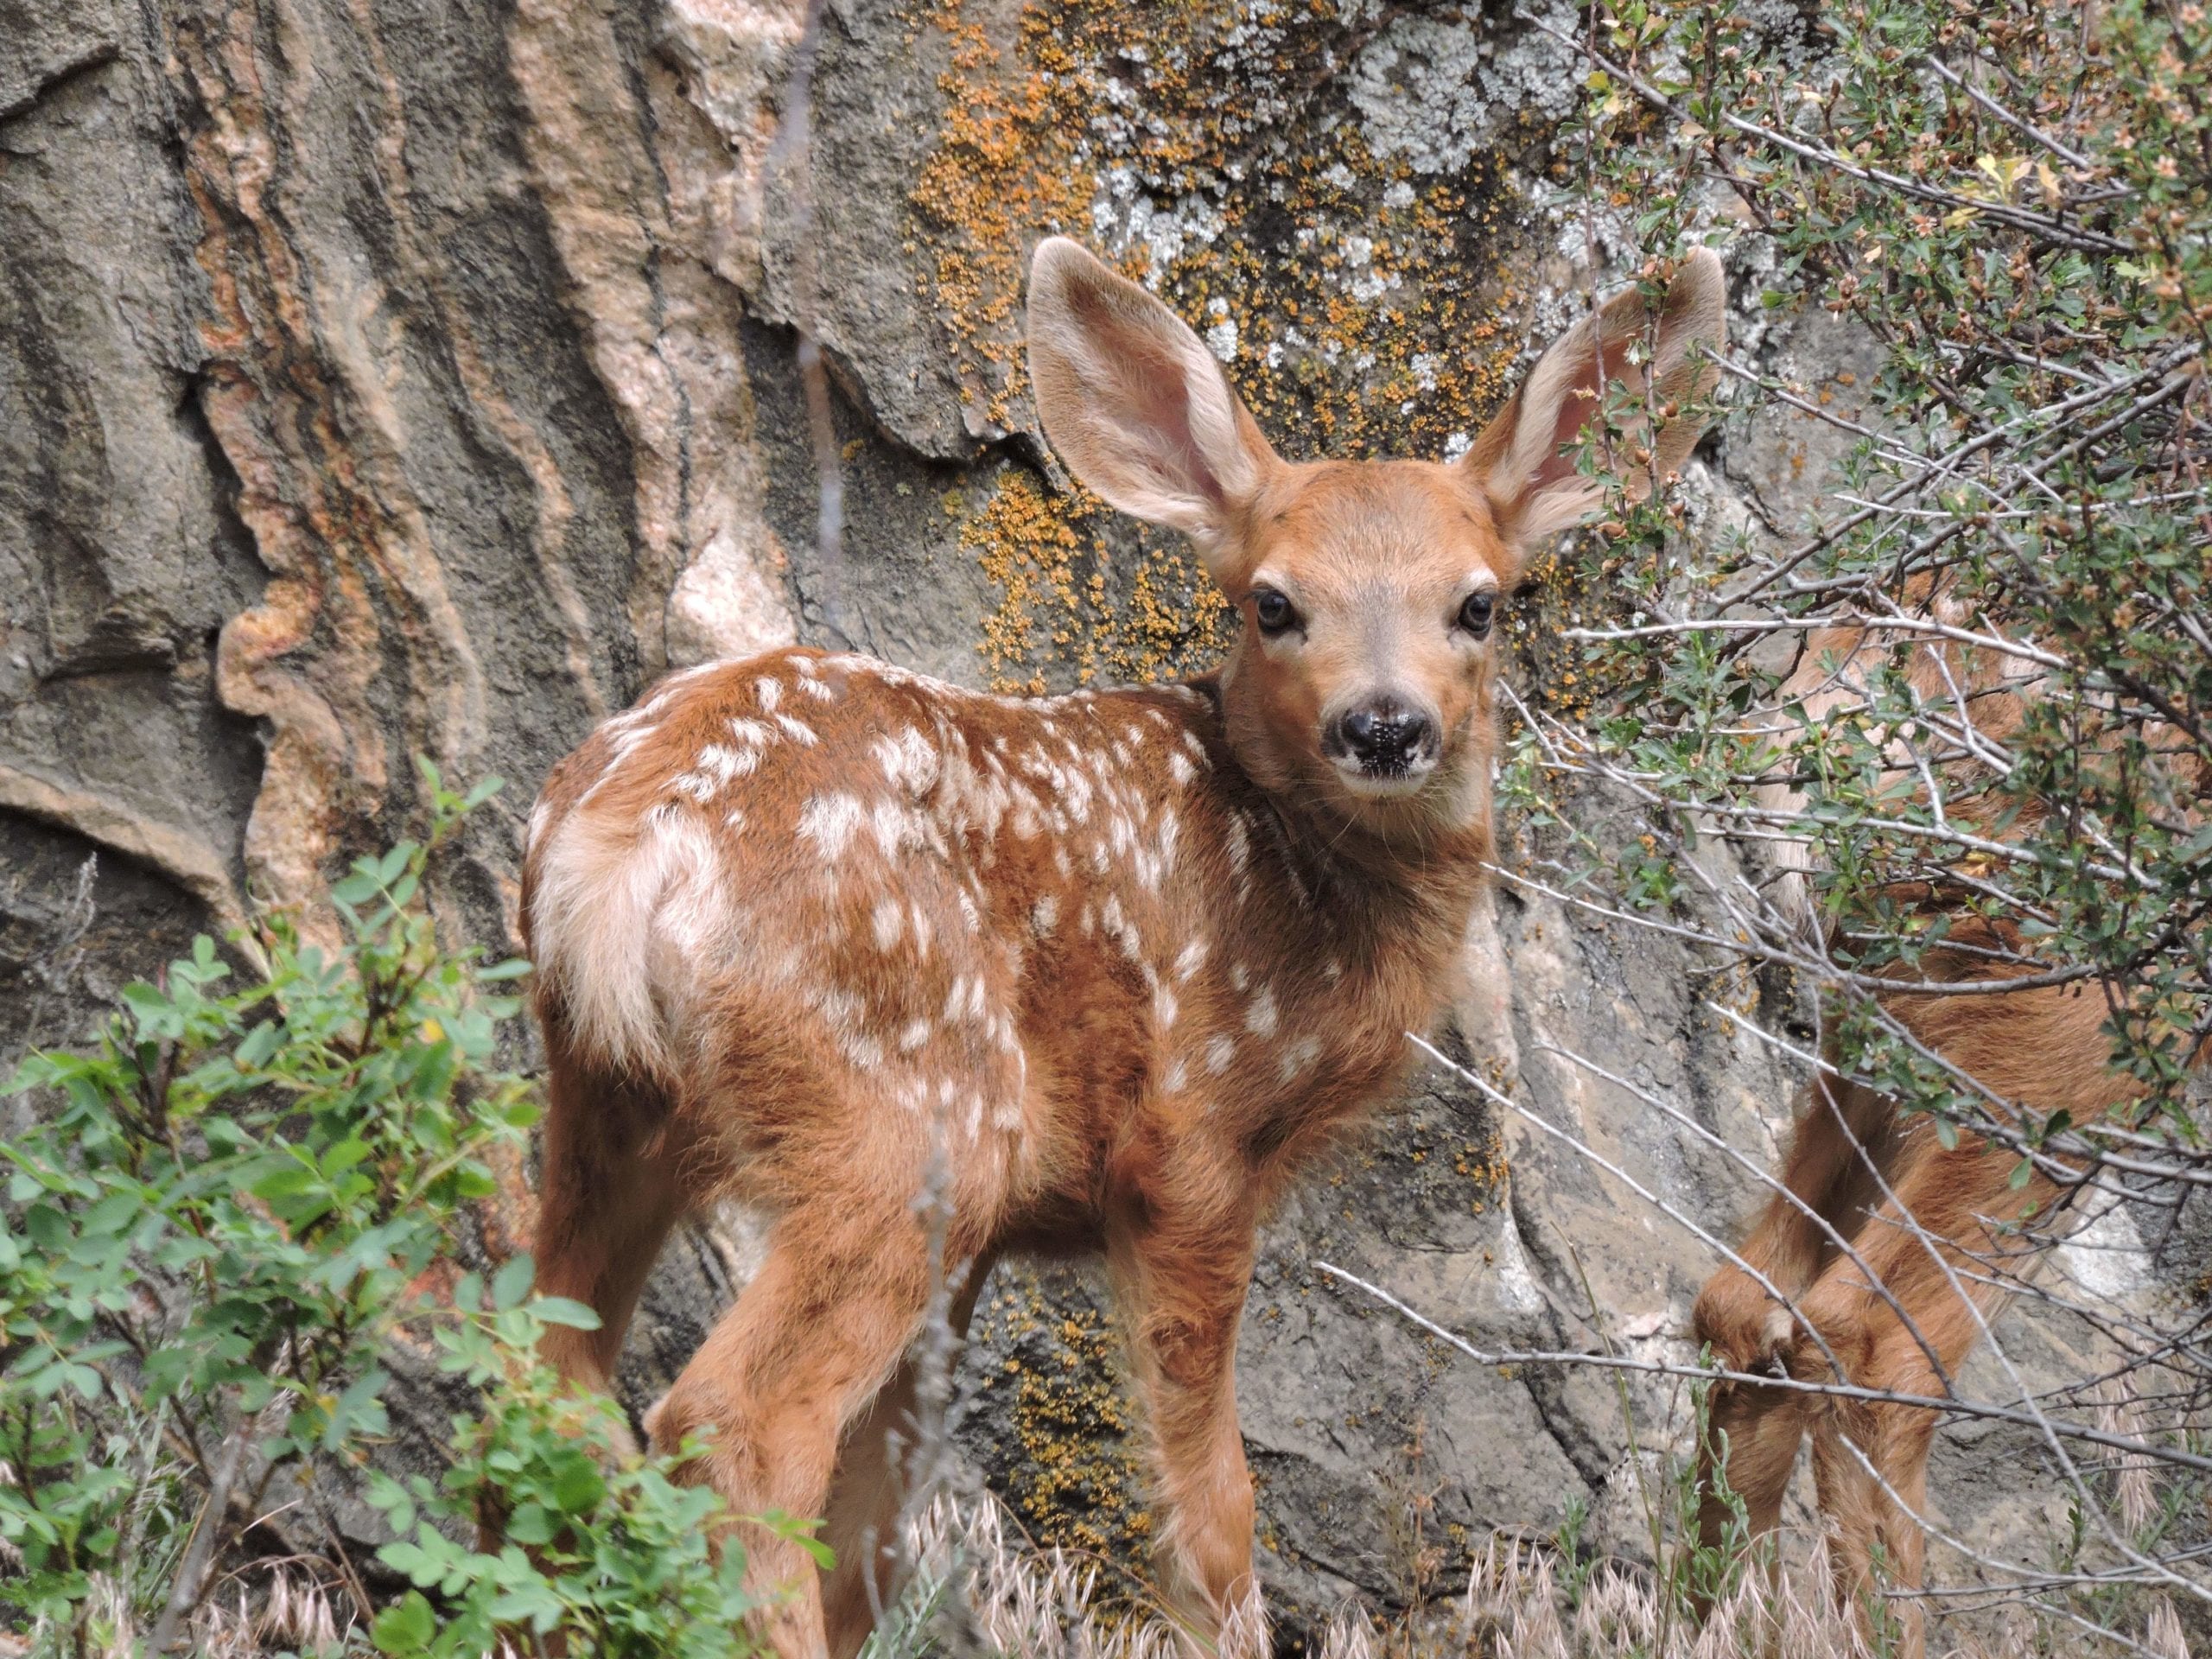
(1368, 592)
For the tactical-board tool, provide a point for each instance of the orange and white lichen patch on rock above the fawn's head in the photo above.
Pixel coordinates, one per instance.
(1377, 284)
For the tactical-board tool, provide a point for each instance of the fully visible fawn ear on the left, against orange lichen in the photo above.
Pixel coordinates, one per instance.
(1136, 404)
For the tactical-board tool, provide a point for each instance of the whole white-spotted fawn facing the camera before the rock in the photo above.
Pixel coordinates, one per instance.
(1100, 970)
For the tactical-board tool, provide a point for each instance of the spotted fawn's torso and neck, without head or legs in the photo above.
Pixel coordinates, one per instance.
(997, 921)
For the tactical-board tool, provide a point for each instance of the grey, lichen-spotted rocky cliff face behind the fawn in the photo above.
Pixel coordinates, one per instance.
(386, 377)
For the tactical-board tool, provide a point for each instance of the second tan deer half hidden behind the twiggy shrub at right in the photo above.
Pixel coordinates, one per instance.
(1914, 1242)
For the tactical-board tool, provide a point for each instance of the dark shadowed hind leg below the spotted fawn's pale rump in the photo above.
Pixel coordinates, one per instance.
(609, 1191)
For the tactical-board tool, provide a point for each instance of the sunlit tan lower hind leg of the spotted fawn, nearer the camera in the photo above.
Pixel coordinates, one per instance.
(817, 1333)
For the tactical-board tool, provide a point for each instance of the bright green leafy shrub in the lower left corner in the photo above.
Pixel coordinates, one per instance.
(218, 1224)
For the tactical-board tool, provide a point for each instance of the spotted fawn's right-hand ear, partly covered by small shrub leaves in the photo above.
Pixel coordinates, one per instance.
(1534, 490)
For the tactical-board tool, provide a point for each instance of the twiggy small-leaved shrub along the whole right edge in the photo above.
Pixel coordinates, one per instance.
(2010, 209)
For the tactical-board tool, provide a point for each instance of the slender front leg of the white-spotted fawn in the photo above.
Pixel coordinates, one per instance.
(1182, 1280)
